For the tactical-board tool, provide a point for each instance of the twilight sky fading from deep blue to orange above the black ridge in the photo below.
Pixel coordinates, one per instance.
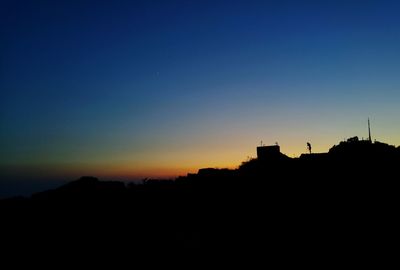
(131, 89)
